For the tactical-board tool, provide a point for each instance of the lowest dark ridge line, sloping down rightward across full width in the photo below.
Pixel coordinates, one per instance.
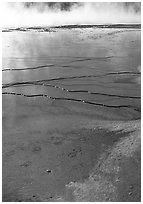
(71, 99)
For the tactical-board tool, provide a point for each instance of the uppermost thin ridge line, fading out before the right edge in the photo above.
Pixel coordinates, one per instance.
(51, 65)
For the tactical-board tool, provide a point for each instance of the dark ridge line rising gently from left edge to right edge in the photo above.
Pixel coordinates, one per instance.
(72, 77)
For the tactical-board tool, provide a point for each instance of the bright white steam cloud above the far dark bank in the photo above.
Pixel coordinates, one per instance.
(64, 13)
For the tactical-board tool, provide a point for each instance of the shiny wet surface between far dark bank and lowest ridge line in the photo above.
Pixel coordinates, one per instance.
(96, 53)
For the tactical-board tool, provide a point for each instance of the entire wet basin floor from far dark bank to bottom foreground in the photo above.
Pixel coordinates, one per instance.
(69, 150)
